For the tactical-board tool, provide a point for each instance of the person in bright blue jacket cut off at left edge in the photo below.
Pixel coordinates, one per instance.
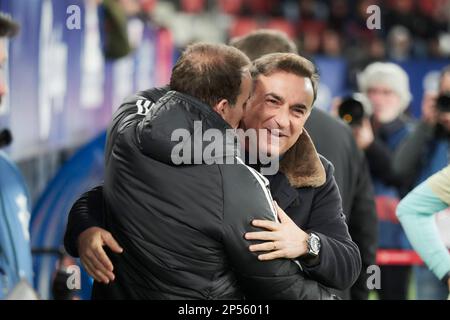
(15, 253)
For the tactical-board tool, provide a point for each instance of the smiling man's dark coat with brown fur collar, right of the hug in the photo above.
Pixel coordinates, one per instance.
(306, 190)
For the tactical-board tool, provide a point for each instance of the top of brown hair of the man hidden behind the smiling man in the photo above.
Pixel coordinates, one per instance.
(264, 41)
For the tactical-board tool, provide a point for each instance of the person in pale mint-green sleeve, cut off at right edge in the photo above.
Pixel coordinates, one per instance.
(416, 212)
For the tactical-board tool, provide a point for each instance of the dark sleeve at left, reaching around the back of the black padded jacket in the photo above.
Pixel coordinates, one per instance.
(85, 213)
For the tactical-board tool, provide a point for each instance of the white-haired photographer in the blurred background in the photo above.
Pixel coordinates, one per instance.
(386, 86)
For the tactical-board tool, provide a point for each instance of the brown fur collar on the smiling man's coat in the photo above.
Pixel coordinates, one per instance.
(301, 164)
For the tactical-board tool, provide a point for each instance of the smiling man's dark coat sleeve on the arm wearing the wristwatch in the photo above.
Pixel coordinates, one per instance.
(340, 260)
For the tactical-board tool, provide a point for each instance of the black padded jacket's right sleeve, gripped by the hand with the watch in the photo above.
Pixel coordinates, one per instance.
(245, 200)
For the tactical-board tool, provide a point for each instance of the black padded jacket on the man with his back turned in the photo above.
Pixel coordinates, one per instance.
(182, 226)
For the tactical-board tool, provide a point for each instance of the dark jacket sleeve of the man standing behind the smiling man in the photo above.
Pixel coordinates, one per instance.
(363, 226)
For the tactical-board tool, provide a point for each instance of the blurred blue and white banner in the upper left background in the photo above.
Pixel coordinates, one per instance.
(62, 90)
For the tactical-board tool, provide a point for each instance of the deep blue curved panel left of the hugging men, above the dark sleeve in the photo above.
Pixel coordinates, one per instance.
(48, 224)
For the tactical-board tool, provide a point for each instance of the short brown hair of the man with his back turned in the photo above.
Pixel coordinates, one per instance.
(210, 72)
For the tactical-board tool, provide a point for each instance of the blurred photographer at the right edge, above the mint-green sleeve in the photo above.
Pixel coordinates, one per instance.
(423, 153)
